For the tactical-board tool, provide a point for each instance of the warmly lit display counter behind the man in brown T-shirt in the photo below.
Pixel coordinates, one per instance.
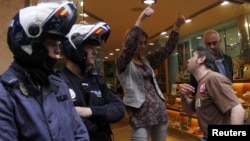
(188, 125)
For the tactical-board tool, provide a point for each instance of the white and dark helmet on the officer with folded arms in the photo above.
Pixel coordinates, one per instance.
(80, 34)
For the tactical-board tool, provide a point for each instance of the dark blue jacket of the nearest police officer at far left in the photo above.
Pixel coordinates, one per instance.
(26, 118)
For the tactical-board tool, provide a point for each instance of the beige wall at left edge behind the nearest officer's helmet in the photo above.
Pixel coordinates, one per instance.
(8, 8)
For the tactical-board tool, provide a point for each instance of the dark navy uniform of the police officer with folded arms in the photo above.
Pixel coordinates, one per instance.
(92, 91)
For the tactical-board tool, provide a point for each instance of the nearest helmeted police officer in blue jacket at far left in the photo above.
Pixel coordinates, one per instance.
(35, 104)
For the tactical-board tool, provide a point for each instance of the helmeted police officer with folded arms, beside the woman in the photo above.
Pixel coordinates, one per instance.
(94, 101)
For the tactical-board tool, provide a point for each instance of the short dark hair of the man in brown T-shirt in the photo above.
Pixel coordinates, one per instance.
(208, 53)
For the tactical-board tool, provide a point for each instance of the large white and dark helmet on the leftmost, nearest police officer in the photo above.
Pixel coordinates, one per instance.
(30, 25)
